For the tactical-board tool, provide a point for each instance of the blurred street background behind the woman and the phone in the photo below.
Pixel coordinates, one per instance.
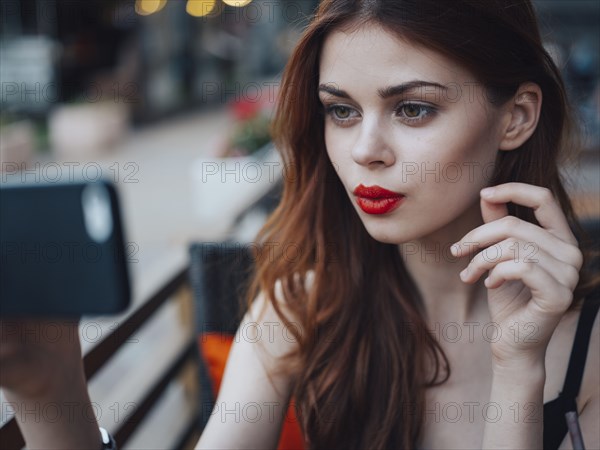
(171, 100)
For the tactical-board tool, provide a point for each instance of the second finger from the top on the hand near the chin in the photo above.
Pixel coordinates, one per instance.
(521, 230)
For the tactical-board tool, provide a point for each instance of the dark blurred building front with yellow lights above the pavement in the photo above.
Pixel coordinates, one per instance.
(159, 56)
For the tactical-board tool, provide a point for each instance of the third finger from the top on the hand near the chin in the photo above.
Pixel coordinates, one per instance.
(513, 250)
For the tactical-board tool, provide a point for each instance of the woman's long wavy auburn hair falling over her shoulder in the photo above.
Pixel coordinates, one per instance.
(359, 376)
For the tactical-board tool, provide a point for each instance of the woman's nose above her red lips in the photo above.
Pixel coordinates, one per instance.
(372, 149)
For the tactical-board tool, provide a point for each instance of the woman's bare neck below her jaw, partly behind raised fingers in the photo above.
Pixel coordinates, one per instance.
(436, 272)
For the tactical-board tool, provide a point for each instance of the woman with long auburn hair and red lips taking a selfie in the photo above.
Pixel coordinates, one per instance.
(393, 116)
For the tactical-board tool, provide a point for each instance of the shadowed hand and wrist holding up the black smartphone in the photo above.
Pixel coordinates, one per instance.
(41, 365)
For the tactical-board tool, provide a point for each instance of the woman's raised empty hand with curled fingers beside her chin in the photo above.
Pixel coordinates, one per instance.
(533, 270)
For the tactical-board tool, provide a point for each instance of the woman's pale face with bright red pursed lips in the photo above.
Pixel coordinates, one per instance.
(411, 121)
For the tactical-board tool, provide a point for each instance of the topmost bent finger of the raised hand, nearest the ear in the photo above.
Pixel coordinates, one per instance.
(546, 209)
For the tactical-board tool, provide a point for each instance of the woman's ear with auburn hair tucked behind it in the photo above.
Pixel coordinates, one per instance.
(523, 113)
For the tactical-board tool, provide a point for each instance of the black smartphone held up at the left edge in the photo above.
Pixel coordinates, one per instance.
(63, 252)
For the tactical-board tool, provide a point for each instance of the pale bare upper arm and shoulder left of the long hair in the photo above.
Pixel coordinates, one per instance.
(254, 394)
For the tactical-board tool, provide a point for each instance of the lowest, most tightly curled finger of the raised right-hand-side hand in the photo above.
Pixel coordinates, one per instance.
(547, 294)
